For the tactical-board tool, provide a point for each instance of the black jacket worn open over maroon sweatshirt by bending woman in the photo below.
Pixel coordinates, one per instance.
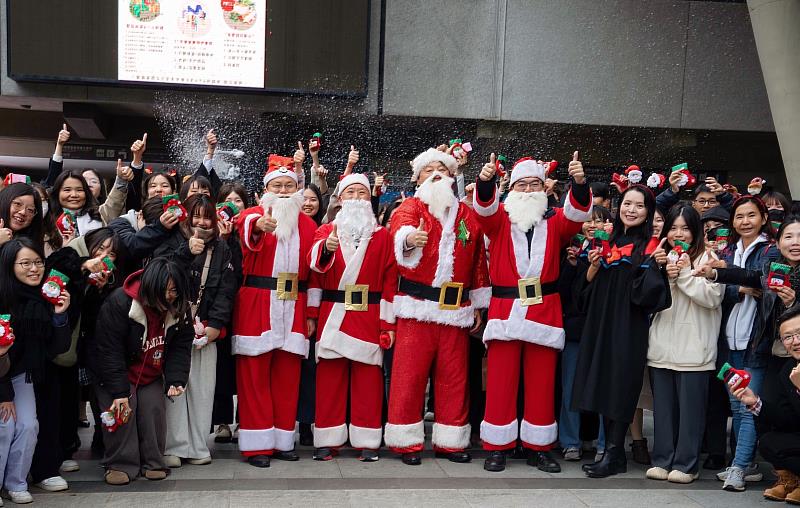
(120, 332)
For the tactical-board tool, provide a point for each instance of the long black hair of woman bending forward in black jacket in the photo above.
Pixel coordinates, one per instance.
(153, 289)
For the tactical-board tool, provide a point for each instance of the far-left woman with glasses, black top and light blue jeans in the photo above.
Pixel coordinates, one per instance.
(41, 331)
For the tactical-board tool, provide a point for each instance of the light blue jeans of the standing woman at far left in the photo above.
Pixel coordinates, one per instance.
(18, 438)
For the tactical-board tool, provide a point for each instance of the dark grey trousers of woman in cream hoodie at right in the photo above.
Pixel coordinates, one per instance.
(679, 418)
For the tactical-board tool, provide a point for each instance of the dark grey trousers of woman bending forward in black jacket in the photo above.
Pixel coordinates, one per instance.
(139, 444)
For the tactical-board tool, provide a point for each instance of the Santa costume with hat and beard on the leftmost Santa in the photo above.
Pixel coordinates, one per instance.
(270, 320)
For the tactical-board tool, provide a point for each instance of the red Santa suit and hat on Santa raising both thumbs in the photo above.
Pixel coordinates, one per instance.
(529, 329)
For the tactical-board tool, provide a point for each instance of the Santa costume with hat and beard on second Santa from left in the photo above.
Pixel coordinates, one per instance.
(352, 288)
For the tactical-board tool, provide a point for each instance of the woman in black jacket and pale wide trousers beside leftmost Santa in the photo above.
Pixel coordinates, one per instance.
(197, 246)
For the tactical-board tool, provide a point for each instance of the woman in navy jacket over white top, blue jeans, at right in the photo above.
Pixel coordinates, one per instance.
(745, 320)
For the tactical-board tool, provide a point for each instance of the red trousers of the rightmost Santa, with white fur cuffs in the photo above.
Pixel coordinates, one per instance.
(538, 429)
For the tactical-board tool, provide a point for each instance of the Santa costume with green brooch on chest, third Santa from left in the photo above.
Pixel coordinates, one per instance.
(441, 286)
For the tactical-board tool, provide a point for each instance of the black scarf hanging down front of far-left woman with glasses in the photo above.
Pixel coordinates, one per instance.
(32, 319)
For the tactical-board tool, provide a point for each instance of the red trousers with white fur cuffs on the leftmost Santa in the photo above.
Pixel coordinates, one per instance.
(268, 387)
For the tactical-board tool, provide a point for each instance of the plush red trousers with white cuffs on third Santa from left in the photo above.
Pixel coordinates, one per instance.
(420, 346)
